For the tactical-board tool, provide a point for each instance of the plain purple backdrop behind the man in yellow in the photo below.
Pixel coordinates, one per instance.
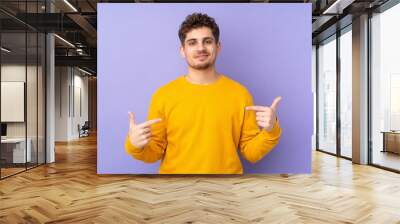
(266, 47)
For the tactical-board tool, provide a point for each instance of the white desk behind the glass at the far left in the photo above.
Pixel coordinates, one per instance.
(17, 150)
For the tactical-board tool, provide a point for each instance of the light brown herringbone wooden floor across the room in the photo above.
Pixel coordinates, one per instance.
(70, 191)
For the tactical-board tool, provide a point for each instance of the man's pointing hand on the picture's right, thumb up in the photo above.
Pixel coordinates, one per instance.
(266, 116)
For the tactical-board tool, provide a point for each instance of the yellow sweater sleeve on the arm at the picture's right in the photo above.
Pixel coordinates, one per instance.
(255, 144)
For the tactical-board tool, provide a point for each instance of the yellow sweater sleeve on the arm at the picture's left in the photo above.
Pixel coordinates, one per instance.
(155, 149)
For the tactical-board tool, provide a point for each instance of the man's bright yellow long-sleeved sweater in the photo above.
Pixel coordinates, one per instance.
(202, 128)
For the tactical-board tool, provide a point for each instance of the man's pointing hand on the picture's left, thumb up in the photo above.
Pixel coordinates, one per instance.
(140, 134)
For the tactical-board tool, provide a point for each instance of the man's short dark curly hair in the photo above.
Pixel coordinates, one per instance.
(198, 20)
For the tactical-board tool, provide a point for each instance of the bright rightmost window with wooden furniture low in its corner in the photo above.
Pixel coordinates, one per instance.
(385, 88)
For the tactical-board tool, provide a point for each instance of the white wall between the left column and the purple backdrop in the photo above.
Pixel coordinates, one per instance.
(71, 93)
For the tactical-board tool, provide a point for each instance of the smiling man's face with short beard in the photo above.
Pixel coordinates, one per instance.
(200, 48)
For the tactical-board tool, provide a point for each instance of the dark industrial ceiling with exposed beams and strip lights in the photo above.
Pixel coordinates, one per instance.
(76, 22)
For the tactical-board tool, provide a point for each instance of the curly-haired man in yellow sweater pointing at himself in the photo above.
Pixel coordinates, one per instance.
(197, 122)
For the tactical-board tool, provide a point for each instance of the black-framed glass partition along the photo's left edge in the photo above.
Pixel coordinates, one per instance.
(22, 77)
